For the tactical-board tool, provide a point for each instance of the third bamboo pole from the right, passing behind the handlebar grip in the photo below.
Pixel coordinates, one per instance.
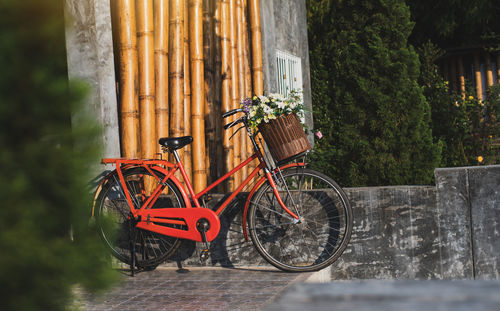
(233, 35)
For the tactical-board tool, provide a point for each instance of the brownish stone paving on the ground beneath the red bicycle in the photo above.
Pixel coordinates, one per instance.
(194, 289)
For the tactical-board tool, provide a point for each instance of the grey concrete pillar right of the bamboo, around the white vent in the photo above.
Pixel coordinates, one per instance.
(284, 27)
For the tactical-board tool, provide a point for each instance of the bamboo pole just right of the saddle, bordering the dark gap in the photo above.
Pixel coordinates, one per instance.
(197, 87)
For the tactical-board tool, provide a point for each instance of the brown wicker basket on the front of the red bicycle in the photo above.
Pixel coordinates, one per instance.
(285, 137)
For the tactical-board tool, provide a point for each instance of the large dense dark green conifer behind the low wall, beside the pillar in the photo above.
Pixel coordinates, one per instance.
(366, 98)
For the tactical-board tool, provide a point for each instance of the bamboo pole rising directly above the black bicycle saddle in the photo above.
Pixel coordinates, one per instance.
(176, 70)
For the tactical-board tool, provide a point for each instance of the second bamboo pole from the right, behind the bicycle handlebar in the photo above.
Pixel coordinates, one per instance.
(241, 80)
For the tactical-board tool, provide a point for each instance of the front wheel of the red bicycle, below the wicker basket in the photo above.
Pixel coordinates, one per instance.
(322, 232)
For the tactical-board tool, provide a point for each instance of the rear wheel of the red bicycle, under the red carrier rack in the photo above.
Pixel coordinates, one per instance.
(116, 229)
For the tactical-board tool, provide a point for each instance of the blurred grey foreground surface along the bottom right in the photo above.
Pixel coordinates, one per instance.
(391, 295)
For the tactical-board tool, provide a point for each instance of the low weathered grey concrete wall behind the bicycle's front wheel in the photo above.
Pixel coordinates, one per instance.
(449, 231)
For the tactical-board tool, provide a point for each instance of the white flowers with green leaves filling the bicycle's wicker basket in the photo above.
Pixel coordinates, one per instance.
(266, 108)
